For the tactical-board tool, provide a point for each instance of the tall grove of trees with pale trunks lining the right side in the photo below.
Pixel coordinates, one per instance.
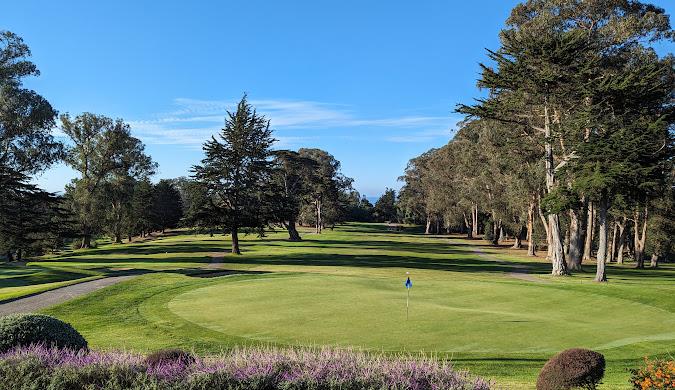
(571, 147)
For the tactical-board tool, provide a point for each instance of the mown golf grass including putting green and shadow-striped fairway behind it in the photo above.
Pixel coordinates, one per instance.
(470, 302)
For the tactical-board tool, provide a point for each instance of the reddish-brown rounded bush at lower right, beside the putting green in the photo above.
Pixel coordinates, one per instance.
(572, 368)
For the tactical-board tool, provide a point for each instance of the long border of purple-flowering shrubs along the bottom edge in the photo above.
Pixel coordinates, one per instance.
(250, 369)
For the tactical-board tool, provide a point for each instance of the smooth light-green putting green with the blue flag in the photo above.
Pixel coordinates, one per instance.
(471, 316)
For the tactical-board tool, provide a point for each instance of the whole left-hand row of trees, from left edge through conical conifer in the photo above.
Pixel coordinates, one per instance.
(242, 184)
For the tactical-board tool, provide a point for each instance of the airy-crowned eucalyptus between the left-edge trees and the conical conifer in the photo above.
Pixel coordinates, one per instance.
(102, 151)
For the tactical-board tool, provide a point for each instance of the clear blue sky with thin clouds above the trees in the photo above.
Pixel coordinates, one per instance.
(373, 83)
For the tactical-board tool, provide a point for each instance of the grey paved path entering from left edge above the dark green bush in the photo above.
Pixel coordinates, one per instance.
(54, 297)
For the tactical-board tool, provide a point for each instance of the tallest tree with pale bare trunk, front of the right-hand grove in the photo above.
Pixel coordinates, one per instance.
(552, 54)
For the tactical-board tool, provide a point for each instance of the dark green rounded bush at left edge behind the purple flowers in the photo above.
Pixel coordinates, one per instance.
(25, 329)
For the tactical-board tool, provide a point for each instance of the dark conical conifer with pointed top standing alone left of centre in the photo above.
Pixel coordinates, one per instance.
(236, 172)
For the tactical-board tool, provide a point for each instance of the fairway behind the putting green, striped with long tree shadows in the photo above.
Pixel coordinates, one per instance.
(374, 246)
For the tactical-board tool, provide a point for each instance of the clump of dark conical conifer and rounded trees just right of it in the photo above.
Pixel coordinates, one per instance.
(244, 185)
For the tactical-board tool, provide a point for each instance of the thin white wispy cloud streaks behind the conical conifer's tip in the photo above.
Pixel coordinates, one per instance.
(193, 121)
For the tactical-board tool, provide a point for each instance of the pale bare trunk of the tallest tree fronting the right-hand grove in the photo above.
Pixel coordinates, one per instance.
(559, 267)
